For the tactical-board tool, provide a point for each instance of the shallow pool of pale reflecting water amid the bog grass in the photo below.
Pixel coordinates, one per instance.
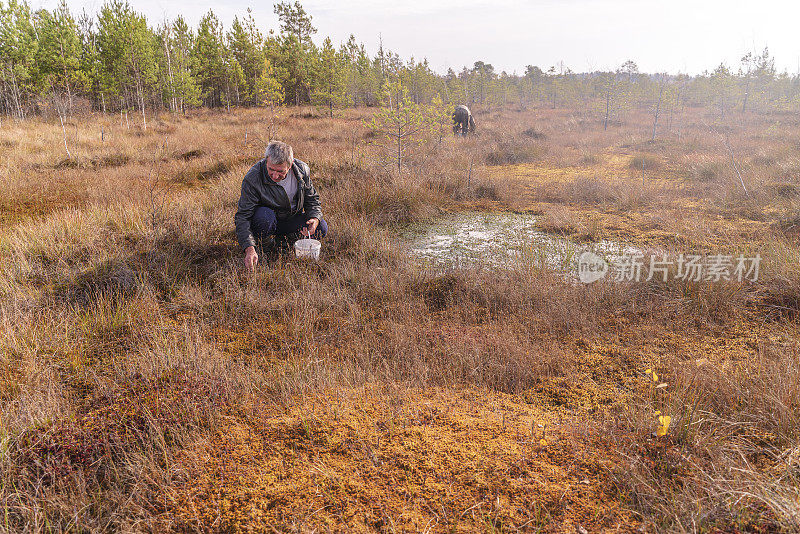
(501, 240)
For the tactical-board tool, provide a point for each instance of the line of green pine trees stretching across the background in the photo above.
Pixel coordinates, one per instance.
(51, 61)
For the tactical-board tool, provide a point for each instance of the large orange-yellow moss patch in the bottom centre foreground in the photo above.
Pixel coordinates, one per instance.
(368, 459)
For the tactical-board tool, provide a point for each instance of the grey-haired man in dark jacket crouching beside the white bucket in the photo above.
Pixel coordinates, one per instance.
(278, 199)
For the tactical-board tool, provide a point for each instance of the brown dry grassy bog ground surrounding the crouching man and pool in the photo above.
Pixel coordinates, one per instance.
(148, 383)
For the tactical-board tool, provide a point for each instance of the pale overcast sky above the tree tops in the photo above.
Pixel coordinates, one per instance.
(687, 36)
